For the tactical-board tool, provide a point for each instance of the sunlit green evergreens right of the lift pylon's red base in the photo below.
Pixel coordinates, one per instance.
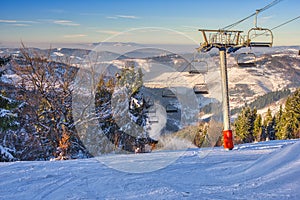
(285, 124)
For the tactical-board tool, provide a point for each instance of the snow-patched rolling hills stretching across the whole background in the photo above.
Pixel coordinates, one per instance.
(275, 69)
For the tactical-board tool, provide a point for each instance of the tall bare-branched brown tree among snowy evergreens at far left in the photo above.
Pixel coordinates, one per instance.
(45, 86)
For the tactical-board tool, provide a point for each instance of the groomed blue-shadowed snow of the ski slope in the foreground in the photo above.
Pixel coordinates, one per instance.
(266, 170)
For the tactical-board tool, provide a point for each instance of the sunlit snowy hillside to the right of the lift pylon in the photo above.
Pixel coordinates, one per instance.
(273, 71)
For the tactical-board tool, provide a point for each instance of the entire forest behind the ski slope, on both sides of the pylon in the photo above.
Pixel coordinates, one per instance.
(37, 122)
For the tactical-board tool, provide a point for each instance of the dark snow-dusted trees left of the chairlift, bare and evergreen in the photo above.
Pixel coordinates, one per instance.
(36, 110)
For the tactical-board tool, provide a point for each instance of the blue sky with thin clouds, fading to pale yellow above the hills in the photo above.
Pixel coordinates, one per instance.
(140, 21)
